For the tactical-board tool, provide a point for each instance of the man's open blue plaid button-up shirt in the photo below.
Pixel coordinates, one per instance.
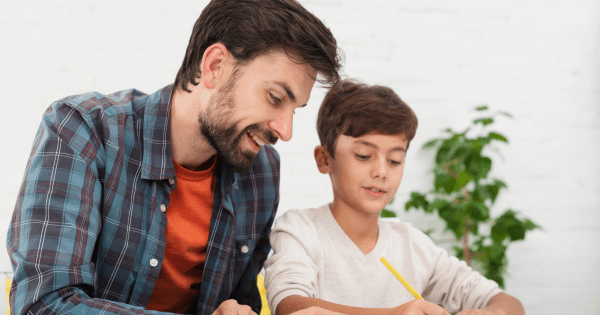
(88, 230)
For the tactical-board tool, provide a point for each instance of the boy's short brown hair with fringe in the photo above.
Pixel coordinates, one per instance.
(355, 109)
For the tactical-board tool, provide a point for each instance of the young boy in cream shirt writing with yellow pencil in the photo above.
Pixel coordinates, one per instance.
(329, 256)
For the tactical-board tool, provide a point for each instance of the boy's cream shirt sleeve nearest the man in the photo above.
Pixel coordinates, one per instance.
(292, 270)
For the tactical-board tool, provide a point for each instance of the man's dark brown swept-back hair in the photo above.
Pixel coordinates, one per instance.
(249, 28)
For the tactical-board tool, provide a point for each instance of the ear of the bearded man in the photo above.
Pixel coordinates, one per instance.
(214, 65)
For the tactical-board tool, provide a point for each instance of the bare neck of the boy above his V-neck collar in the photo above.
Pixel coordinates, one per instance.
(362, 228)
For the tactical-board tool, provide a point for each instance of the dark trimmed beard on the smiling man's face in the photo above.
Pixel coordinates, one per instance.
(223, 135)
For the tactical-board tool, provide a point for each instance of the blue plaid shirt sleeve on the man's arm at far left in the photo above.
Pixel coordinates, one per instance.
(57, 219)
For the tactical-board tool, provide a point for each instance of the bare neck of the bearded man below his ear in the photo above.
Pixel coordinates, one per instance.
(189, 147)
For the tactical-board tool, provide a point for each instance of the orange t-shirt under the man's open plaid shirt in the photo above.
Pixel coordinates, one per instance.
(188, 224)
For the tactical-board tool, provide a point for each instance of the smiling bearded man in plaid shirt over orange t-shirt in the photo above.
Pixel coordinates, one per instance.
(143, 204)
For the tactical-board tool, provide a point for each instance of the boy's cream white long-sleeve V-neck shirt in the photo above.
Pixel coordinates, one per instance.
(313, 257)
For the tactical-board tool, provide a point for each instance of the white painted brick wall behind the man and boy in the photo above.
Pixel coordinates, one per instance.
(539, 60)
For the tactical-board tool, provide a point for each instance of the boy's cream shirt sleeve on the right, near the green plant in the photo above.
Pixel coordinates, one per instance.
(452, 283)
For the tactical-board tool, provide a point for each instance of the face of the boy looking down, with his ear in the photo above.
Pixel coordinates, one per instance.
(366, 171)
